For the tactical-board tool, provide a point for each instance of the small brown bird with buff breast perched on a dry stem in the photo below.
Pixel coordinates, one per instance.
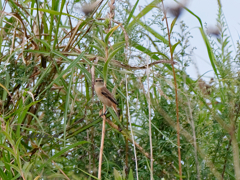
(104, 95)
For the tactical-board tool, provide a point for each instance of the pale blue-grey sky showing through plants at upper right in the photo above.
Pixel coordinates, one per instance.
(207, 10)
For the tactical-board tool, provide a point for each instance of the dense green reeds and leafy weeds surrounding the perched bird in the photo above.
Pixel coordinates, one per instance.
(50, 124)
